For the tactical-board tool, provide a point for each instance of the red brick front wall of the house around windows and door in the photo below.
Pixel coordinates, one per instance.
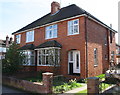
(68, 43)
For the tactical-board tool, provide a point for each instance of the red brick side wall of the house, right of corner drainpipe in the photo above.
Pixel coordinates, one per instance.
(96, 39)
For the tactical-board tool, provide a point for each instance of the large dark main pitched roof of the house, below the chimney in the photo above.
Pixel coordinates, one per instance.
(64, 13)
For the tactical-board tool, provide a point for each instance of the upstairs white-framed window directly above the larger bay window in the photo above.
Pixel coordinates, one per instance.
(51, 31)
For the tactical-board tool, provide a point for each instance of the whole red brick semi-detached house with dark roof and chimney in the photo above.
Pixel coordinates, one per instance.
(67, 41)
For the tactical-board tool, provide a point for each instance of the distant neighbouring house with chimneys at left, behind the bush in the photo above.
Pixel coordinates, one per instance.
(4, 44)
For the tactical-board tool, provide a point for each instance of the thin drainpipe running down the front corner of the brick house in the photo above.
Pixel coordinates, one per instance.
(86, 39)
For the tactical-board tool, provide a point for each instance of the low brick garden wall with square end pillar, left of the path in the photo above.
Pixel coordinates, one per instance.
(45, 87)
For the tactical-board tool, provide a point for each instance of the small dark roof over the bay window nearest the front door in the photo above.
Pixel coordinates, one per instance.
(51, 43)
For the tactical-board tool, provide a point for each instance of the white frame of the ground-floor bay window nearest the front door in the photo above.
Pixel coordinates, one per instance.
(40, 50)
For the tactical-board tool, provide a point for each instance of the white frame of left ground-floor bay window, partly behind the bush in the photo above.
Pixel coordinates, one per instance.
(29, 58)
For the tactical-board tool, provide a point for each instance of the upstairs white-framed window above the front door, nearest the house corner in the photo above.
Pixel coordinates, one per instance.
(73, 27)
